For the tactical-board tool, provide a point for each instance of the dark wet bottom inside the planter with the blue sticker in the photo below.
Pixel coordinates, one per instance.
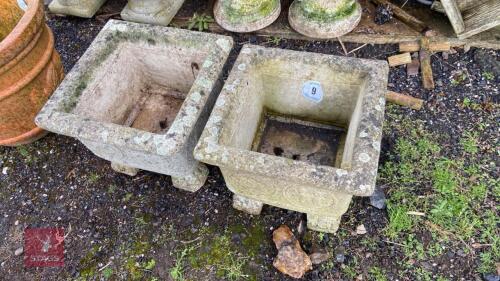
(300, 140)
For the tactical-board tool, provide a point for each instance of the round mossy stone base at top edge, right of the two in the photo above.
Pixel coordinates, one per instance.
(324, 18)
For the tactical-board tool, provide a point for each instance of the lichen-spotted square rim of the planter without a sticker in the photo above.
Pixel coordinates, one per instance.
(54, 117)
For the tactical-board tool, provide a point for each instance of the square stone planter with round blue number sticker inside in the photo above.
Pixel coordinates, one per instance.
(299, 131)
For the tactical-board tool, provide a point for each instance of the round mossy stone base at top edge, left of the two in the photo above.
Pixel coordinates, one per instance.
(246, 15)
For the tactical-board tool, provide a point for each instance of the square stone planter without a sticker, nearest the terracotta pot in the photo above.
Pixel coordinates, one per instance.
(140, 97)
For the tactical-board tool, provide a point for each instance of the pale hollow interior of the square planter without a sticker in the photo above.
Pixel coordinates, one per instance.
(148, 95)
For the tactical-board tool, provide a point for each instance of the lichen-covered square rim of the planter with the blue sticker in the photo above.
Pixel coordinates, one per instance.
(358, 180)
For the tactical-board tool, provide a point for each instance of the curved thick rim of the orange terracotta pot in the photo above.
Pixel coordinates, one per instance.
(23, 32)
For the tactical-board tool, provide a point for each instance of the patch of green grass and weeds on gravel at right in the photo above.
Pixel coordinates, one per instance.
(449, 191)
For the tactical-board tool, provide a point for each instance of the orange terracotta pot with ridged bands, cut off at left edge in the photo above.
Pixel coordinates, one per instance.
(30, 70)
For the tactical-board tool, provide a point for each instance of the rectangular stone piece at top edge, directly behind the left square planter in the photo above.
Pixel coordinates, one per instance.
(158, 12)
